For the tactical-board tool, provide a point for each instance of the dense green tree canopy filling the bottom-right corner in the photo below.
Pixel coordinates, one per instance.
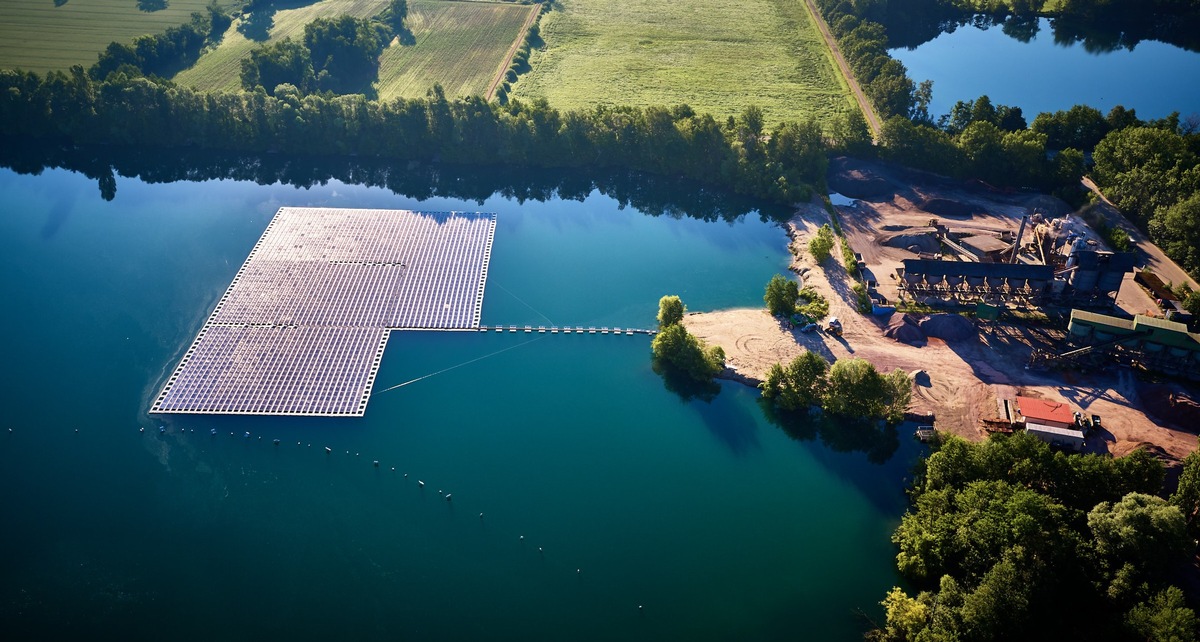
(1010, 541)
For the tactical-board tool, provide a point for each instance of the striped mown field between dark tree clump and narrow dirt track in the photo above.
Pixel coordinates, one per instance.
(460, 45)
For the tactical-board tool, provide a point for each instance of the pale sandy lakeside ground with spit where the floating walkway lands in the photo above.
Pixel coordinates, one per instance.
(962, 383)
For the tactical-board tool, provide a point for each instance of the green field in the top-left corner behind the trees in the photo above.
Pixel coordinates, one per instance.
(37, 35)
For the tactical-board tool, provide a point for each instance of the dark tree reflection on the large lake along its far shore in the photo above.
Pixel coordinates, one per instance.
(656, 196)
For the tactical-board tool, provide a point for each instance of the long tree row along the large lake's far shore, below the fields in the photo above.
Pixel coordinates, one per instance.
(740, 154)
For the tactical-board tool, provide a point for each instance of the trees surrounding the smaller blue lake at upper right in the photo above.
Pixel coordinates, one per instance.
(1150, 170)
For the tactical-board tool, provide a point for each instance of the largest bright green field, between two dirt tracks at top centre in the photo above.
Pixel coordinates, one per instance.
(716, 56)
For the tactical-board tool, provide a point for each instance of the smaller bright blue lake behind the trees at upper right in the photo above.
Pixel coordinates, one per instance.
(1045, 76)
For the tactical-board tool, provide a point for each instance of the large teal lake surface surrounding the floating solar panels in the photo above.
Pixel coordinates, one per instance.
(713, 520)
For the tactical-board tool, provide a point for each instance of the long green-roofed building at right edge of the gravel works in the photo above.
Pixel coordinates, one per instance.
(1150, 343)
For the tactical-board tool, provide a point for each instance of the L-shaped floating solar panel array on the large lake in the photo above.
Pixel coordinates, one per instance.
(303, 327)
